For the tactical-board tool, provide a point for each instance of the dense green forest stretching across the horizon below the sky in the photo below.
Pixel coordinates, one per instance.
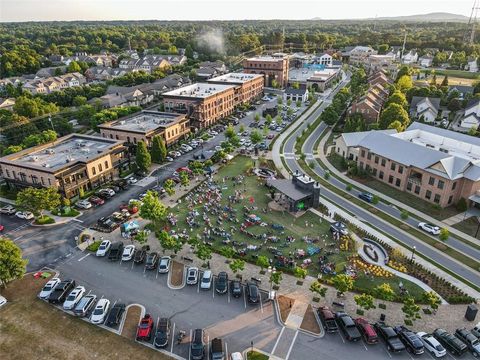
(24, 46)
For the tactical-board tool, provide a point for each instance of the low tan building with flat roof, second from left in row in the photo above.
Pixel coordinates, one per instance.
(145, 125)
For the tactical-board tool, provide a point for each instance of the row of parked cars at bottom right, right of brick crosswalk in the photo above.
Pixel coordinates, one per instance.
(400, 338)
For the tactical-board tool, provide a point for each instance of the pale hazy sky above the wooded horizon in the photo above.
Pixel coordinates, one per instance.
(55, 10)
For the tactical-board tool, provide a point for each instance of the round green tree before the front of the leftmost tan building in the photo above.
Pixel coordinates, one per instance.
(37, 200)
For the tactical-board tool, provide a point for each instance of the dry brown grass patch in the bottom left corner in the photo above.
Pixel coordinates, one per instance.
(33, 329)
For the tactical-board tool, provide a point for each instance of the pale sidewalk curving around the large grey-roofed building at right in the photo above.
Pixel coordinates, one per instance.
(391, 200)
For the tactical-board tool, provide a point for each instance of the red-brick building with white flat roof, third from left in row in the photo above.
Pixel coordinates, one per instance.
(204, 103)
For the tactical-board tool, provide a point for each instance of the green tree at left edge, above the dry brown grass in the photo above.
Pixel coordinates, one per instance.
(12, 265)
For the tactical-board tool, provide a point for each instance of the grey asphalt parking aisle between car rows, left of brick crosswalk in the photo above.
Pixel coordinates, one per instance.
(233, 319)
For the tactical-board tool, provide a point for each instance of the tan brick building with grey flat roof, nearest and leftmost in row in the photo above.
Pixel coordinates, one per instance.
(72, 164)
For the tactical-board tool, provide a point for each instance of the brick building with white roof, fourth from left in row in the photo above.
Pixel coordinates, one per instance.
(247, 86)
